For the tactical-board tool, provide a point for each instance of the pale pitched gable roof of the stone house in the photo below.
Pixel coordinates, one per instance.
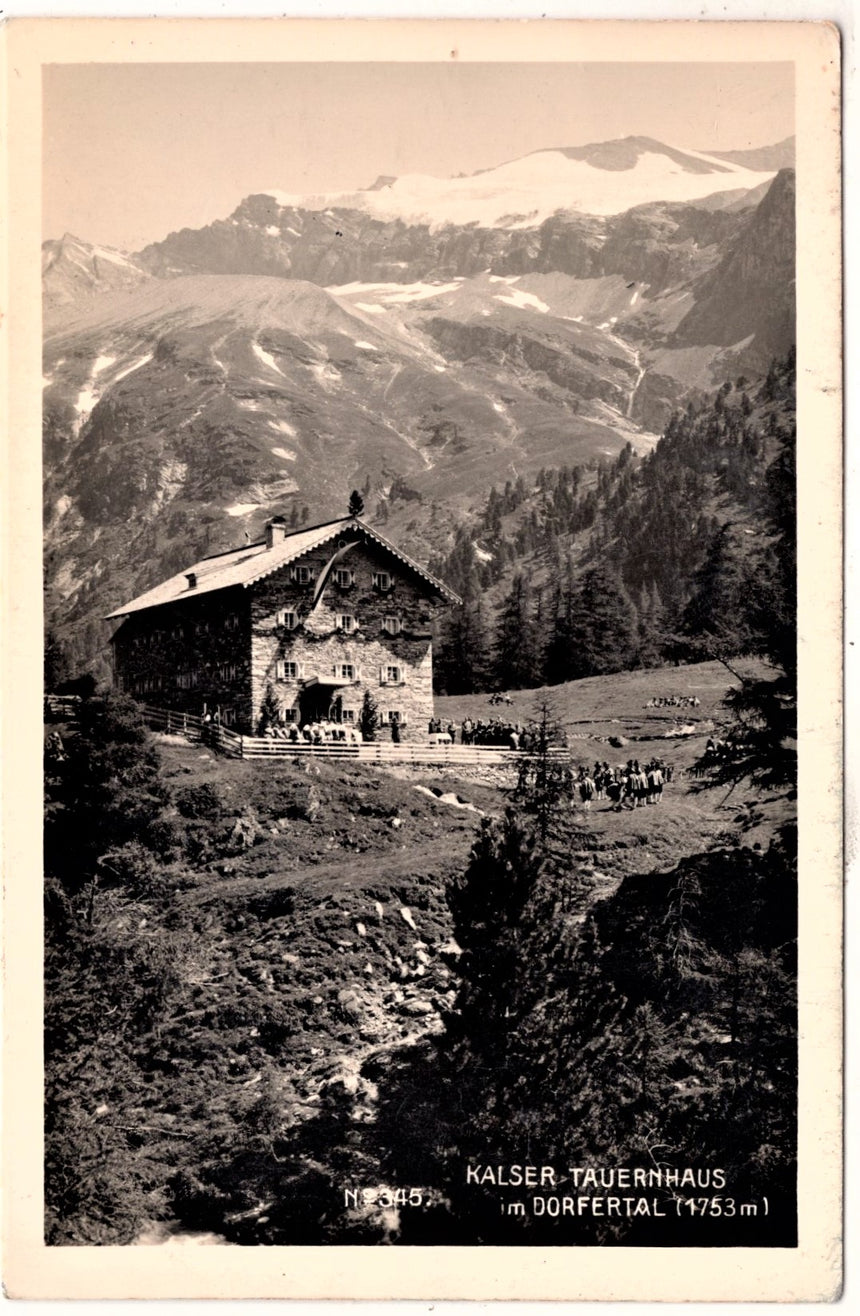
(255, 561)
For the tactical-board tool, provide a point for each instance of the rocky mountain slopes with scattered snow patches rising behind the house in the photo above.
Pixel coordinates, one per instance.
(281, 357)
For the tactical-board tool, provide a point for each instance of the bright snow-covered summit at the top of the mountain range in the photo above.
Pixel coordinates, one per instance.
(604, 178)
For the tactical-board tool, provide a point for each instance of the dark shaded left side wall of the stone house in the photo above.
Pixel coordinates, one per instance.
(190, 656)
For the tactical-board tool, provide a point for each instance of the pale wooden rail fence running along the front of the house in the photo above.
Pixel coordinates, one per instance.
(371, 752)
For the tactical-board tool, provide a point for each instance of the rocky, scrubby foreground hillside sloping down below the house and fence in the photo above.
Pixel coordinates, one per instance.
(243, 1009)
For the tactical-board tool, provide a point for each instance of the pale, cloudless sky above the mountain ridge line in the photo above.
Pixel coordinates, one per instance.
(135, 152)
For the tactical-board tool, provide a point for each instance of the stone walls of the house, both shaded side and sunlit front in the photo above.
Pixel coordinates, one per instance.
(347, 618)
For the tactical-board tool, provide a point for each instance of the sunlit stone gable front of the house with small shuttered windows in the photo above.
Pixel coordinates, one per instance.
(317, 644)
